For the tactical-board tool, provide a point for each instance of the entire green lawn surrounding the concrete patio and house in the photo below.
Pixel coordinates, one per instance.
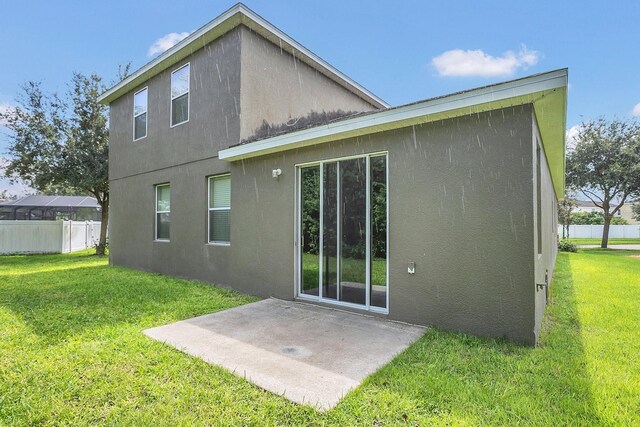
(72, 352)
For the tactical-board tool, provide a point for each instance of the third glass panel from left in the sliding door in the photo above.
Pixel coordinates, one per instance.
(353, 231)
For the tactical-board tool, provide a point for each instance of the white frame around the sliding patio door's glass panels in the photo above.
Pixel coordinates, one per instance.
(298, 227)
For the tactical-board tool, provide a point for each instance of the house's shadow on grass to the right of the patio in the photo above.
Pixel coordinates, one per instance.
(463, 379)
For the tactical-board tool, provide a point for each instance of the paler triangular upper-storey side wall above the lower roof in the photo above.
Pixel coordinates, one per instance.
(276, 87)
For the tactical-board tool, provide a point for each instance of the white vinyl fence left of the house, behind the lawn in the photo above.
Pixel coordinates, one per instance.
(47, 236)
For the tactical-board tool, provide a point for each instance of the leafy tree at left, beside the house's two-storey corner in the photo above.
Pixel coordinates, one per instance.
(62, 150)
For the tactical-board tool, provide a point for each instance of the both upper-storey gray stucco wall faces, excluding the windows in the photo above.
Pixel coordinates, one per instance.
(237, 81)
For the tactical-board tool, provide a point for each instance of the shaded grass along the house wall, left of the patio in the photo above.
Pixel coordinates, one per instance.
(60, 302)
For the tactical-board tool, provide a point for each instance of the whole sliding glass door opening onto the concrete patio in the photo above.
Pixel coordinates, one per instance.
(342, 254)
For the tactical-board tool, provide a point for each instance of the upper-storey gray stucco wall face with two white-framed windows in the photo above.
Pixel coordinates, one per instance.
(214, 114)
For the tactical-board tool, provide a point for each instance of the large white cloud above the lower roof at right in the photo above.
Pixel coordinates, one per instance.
(465, 63)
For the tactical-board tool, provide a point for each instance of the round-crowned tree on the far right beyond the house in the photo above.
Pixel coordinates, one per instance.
(605, 165)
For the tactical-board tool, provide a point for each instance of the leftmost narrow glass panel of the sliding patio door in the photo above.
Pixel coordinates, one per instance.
(310, 230)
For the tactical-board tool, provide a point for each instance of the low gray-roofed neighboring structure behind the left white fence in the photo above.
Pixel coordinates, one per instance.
(75, 208)
